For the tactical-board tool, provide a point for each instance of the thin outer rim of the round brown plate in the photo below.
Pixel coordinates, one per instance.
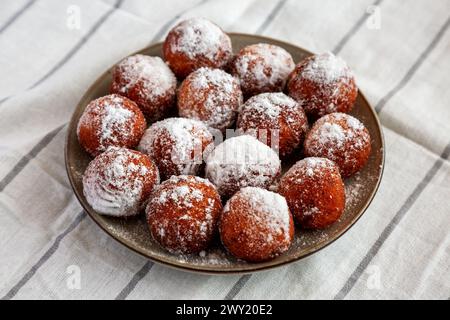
(199, 269)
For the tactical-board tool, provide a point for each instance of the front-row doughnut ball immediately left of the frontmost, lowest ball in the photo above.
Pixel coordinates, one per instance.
(183, 213)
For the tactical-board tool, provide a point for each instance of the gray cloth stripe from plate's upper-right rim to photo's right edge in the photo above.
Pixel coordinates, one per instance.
(380, 105)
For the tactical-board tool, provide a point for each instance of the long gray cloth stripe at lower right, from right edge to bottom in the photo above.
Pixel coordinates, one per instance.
(350, 283)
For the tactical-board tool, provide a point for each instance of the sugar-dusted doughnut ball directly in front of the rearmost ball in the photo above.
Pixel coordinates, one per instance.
(212, 96)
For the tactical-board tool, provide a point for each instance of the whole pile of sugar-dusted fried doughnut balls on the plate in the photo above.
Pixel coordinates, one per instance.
(155, 147)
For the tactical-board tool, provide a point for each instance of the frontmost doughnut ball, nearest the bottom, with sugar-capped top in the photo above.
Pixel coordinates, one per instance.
(256, 225)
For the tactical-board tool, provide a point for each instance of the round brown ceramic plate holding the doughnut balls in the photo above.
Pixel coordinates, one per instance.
(134, 234)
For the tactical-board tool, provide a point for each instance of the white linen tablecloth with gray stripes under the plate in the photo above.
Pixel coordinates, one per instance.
(52, 50)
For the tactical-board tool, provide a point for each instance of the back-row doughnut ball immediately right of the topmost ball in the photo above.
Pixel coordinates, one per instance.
(262, 68)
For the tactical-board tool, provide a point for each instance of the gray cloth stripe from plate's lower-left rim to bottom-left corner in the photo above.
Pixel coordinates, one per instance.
(44, 258)
